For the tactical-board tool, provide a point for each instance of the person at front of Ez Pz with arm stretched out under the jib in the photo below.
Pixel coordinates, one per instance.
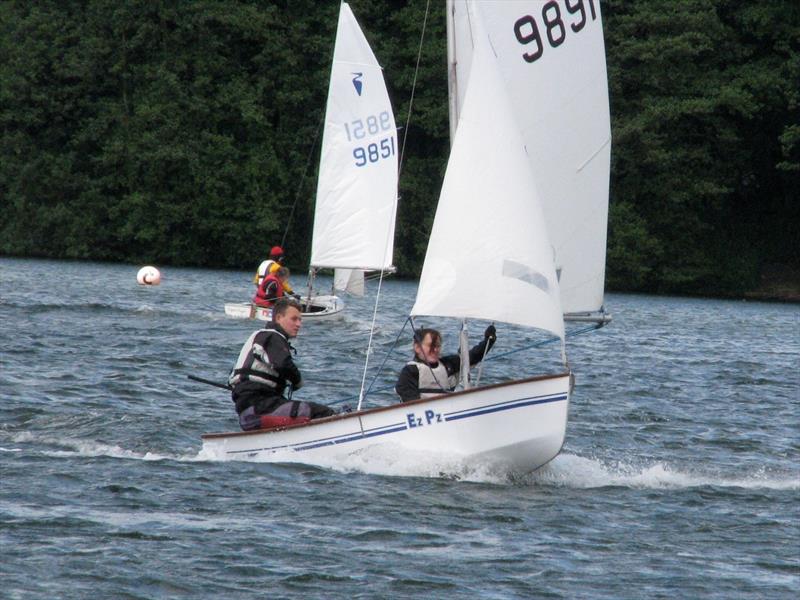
(429, 374)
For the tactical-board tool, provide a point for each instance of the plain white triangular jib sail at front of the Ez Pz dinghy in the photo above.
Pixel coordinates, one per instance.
(488, 255)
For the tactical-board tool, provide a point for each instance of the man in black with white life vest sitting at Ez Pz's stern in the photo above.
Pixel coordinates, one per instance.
(265, 369)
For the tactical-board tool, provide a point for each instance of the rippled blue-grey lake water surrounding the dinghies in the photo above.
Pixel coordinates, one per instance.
(679, 478)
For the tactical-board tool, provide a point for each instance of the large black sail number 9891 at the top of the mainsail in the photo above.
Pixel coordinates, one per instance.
(527, 29)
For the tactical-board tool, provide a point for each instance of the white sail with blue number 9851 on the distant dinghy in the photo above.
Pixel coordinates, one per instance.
(357, 186)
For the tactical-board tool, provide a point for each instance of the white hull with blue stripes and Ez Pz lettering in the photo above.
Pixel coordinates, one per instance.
(518, 426)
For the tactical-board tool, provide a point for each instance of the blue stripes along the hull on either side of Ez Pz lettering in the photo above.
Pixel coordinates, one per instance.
(398, 427)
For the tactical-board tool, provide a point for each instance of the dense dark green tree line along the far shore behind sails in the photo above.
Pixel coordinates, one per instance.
(188, 133)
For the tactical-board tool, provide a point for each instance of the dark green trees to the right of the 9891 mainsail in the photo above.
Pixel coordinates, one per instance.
(704, 97)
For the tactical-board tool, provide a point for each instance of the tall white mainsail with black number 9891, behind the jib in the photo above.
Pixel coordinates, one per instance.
(552, 58)
